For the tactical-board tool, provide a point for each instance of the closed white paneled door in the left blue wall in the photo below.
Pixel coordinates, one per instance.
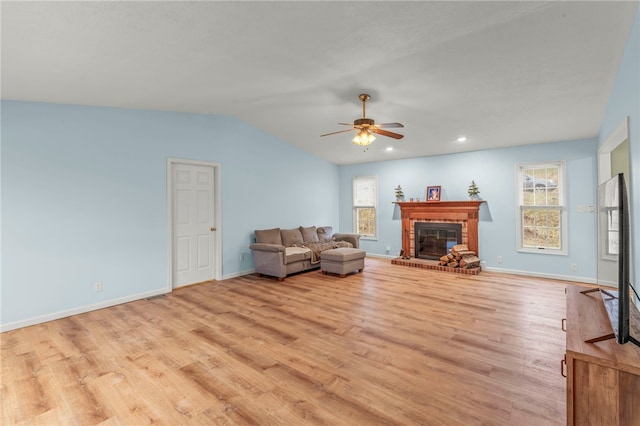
(193, 224)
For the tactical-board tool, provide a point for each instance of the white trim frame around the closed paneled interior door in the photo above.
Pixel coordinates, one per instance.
(217, 189)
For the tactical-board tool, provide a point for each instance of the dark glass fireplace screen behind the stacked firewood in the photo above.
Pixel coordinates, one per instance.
(433, 240)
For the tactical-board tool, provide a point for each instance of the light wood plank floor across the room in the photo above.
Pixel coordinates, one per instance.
(393, 345)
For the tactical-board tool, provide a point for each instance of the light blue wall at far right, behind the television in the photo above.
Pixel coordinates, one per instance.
(624, 101)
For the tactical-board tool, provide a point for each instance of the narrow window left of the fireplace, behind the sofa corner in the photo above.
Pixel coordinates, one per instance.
(365, 189)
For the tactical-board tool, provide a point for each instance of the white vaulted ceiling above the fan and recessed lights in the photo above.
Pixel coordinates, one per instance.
(501, 73)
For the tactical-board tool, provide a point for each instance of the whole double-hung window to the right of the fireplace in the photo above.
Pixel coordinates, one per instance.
(542, 218)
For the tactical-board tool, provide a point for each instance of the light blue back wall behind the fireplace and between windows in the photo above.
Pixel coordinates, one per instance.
(494, 173)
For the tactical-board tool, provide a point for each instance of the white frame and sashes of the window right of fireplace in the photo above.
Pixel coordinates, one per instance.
(561, 207)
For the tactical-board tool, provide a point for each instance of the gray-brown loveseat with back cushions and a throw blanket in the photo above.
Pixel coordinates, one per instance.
(280, 252)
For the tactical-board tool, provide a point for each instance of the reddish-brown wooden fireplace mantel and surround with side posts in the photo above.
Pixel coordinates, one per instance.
(452, 211)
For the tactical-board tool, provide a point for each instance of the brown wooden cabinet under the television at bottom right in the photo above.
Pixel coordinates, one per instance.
(603, 378)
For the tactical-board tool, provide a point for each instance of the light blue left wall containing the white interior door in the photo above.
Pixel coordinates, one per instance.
(84, 199)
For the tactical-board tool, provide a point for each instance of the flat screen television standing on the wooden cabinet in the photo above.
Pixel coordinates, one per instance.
(614, 262)
